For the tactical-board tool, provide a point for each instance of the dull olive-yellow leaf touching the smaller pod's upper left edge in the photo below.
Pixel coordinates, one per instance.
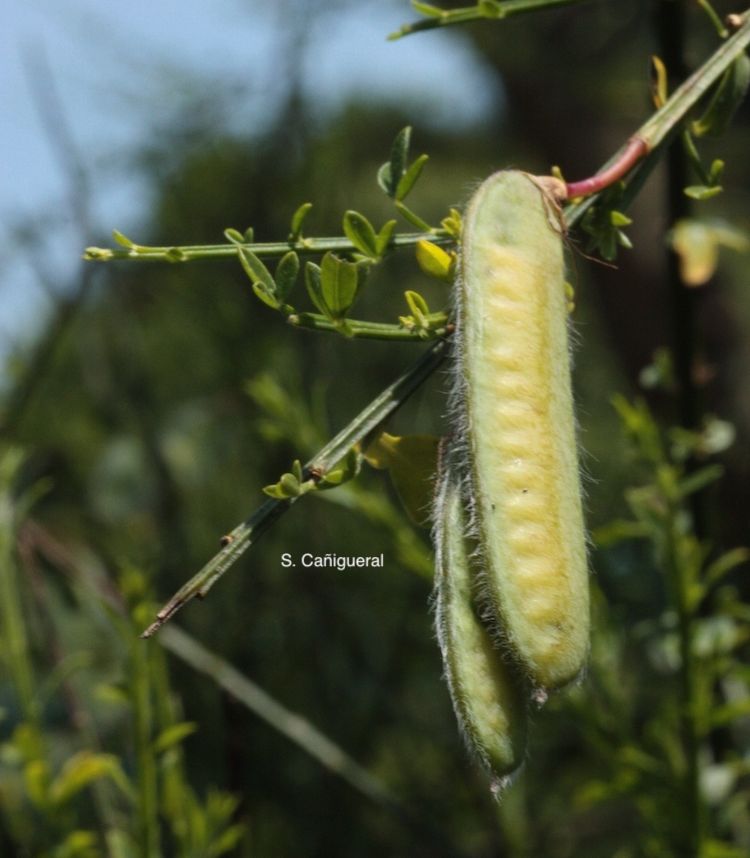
(411, 462)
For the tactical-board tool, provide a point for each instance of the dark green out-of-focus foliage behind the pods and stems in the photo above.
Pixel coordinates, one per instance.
(158, 399)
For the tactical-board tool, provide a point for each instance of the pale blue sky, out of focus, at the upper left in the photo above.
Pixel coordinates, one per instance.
(117, 67)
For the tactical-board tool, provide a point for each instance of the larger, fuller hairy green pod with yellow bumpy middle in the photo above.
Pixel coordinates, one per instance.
(517, 417)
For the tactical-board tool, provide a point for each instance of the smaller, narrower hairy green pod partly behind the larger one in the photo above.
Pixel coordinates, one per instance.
(488, 692)
